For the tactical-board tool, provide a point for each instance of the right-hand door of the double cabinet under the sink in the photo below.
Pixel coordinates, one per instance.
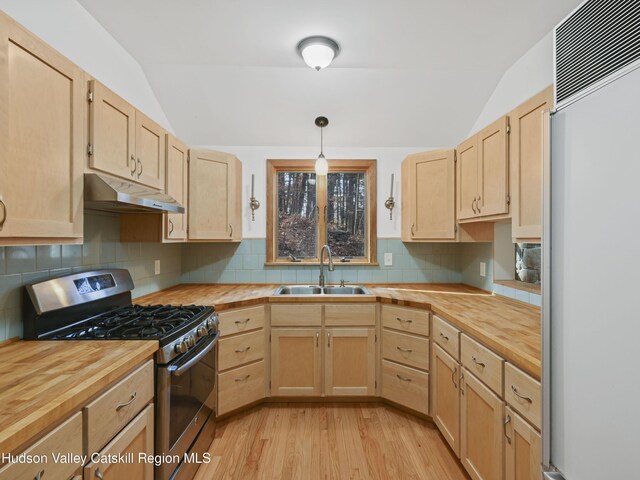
(350, 365)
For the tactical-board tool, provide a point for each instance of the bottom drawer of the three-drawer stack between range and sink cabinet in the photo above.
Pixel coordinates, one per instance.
(240, 386)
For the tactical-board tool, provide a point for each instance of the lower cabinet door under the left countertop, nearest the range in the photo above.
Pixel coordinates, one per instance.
(135, 438)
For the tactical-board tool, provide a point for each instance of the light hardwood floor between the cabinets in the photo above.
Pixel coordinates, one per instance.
(329, 441)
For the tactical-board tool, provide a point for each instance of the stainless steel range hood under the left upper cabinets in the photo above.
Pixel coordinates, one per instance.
(111, 195)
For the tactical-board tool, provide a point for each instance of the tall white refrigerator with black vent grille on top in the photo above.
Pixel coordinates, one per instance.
(590, 286)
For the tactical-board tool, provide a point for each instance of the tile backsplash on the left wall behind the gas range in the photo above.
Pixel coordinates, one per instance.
(101, 249)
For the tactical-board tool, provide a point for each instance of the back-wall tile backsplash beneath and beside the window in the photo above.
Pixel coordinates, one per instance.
(244, 263)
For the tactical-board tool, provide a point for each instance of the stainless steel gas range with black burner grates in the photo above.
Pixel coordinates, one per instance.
(97, 305)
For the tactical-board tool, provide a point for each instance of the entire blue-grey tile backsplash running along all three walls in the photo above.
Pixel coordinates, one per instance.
(228, 263)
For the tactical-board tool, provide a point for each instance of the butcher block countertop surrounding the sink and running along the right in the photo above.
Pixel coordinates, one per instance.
(509, 327)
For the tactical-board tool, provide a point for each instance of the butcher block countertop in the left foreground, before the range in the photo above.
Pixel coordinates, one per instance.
(43, 382)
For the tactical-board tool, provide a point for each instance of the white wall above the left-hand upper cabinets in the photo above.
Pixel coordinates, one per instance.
(70, 29)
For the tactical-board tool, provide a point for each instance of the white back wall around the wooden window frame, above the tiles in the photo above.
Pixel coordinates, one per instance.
(254, 161)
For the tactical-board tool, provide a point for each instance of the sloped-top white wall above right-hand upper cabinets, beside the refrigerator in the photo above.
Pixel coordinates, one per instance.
(532, 73)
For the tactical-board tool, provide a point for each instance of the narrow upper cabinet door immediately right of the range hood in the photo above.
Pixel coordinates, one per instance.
(177, 183)
